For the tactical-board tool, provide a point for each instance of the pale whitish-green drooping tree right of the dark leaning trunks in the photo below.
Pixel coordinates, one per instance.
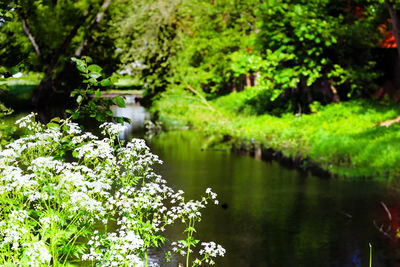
(144, 48)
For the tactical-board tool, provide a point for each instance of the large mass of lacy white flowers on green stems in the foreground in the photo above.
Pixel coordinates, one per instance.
(53, 198)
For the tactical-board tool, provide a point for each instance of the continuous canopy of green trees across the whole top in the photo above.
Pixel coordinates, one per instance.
(285, 54)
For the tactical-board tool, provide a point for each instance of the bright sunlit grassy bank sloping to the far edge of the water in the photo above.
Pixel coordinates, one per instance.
(344, 139)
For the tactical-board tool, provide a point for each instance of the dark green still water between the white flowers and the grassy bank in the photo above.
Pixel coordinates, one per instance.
(273, 216)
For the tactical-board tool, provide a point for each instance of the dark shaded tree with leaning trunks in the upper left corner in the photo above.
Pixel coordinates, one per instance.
(46, 34)
